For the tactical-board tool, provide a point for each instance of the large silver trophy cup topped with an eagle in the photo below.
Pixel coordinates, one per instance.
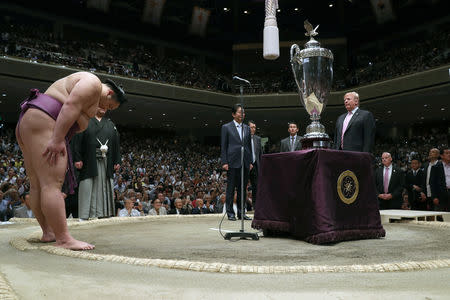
(313, 73)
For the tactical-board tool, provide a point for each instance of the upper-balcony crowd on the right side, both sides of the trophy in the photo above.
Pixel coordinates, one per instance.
(398, 59)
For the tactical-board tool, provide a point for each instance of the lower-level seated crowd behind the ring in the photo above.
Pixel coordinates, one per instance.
(172, 175)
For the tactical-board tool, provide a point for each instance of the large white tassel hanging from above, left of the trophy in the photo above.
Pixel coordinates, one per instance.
(271, 48)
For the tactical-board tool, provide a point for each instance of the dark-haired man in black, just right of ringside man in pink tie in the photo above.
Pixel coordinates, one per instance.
(414, 184)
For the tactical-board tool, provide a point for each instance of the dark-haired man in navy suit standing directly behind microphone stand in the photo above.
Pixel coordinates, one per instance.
(234, 135)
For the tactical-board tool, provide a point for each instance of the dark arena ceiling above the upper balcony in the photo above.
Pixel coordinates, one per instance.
(241, 21)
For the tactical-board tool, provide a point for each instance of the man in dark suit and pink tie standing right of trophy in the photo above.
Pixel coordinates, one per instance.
(355, 130)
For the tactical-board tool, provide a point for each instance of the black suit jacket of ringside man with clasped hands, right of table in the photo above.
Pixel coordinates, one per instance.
(396, 184)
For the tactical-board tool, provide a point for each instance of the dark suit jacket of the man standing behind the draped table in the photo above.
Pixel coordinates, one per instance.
(360, 132)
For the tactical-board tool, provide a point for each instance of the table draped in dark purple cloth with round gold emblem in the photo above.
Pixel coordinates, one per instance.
(318, 195)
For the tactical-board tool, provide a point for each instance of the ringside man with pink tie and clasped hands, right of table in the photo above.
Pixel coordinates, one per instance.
(389, 183)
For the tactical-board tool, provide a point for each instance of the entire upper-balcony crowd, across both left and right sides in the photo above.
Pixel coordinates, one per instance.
(126, 58)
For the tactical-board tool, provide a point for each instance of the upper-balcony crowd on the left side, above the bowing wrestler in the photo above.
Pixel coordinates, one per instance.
(124, 58)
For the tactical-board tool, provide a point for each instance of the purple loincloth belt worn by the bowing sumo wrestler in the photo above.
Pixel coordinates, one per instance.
(52, 107)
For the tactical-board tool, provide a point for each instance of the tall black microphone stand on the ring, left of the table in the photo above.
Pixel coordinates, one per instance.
(242, 235)
